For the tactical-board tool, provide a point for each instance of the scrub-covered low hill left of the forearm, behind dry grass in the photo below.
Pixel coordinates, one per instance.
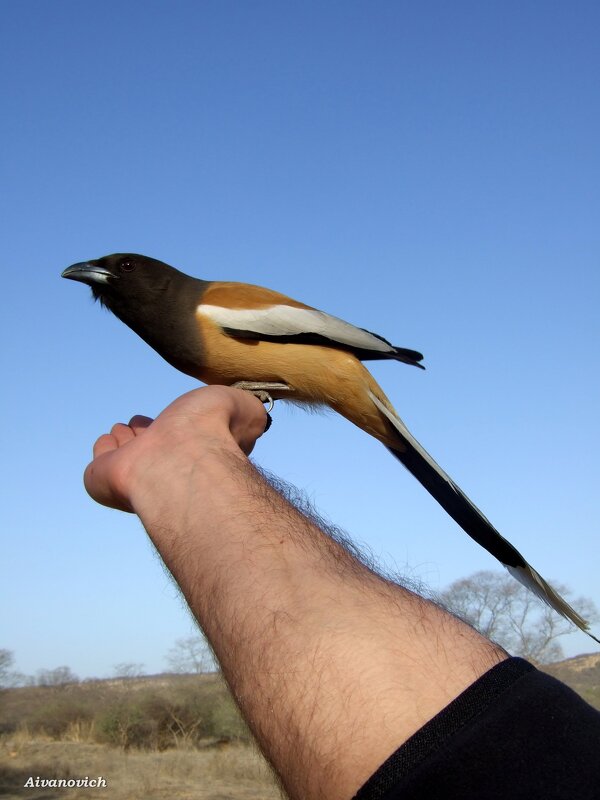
(153, 712)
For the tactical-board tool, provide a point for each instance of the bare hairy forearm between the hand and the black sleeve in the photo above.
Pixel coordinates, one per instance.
(332, 666)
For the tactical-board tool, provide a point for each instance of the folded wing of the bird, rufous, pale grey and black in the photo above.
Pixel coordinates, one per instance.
(250, 312)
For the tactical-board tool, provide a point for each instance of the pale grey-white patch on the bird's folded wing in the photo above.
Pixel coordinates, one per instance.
(282, 320)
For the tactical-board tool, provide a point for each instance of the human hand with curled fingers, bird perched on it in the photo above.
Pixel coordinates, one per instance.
(213, 418)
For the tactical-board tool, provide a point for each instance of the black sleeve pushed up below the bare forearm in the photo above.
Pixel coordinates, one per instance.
(515, 733)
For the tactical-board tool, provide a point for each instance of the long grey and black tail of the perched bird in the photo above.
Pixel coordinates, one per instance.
(453, 500)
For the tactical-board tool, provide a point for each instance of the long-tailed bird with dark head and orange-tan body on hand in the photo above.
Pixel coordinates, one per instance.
(238, 334)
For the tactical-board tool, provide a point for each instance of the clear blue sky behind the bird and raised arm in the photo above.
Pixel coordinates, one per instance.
(429, 171)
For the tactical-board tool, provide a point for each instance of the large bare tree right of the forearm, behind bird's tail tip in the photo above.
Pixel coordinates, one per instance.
(505, 611)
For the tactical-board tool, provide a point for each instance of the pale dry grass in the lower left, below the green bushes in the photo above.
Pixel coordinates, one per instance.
(230, 772)
